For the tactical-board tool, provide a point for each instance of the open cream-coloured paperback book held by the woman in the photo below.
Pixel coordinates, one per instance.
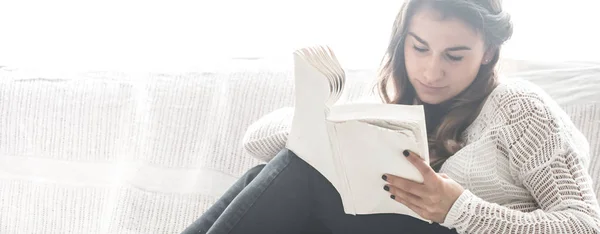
(352, 145)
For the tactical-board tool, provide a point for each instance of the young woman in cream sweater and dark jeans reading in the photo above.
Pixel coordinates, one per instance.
(509, 159)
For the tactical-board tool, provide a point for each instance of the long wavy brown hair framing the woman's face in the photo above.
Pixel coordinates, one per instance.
(485, 16)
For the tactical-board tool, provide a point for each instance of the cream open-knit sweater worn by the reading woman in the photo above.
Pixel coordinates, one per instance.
(524, 168)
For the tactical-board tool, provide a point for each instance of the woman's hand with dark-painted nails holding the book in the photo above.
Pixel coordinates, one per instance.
(431, 199)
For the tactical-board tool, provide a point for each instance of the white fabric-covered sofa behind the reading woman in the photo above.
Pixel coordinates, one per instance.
(128, 152)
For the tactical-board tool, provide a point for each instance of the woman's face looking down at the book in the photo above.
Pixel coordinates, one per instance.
(442, 56)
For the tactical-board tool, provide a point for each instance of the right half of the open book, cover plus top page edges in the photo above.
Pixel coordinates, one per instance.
(369, 141)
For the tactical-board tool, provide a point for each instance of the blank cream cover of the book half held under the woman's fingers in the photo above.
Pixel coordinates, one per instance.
(368, 151)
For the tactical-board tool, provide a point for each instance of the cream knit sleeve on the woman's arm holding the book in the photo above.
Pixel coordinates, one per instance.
(548, 160)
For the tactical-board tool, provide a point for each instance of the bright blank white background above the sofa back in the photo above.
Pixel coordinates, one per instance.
(192, 35)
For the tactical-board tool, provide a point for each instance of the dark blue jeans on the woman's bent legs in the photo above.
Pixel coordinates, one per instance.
(290, 196)
